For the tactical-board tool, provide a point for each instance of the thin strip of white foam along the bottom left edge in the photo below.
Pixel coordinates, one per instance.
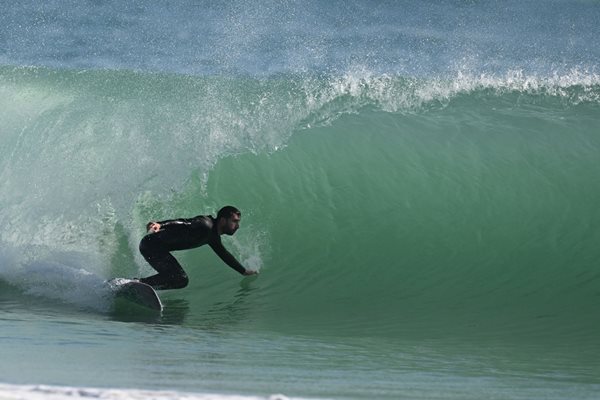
(43, 392)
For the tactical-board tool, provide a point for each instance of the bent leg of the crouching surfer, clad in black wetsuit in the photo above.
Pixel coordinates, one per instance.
(170, 274)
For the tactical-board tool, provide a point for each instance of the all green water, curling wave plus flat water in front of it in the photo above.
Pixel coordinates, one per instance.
(415, 238)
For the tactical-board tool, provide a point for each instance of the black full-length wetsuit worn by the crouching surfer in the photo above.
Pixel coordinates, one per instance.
(181, 234)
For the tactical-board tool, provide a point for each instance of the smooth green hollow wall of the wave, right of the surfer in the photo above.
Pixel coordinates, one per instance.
(387, 223)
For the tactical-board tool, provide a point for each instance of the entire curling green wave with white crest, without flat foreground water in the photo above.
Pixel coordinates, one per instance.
(373, 203)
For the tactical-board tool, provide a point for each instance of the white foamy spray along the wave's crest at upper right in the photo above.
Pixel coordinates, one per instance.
(392, 93)
